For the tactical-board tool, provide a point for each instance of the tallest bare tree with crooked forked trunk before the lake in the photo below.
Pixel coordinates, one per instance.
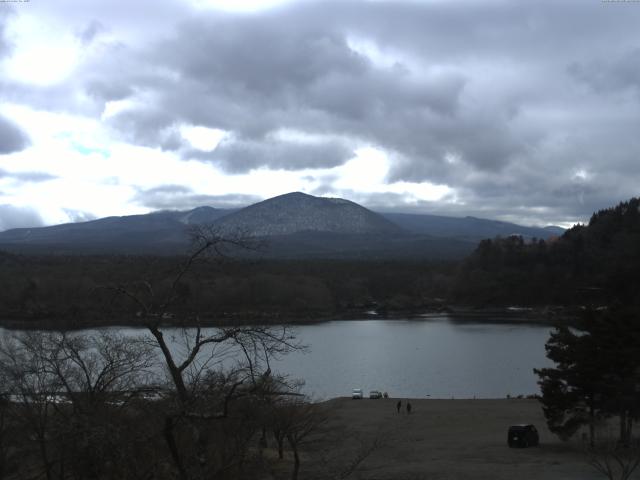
(239, 355)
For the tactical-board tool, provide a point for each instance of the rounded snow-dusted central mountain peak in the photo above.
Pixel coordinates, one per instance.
(298, 212)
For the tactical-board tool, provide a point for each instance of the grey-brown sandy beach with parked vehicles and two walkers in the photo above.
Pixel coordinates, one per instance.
(440, 439)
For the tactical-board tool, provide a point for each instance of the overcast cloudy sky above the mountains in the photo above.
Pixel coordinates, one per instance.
(518, 111)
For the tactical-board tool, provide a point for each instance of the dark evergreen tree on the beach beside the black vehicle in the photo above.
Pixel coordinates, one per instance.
(597, 374)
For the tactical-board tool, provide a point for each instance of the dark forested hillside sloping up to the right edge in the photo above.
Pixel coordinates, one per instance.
(594, 263)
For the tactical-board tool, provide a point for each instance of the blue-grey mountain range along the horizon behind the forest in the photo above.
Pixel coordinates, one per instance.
(294, 225)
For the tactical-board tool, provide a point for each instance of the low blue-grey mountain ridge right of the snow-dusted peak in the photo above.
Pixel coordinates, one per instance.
(468, 228)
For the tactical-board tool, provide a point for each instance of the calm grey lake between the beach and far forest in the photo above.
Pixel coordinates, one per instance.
(440, 357)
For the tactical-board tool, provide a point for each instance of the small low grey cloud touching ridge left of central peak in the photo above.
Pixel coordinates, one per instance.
(179, 197)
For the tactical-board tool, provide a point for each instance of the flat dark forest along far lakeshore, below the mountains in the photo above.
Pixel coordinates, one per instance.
(74, 291)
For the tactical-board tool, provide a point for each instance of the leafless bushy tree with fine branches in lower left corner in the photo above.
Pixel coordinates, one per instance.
(67, 390)
